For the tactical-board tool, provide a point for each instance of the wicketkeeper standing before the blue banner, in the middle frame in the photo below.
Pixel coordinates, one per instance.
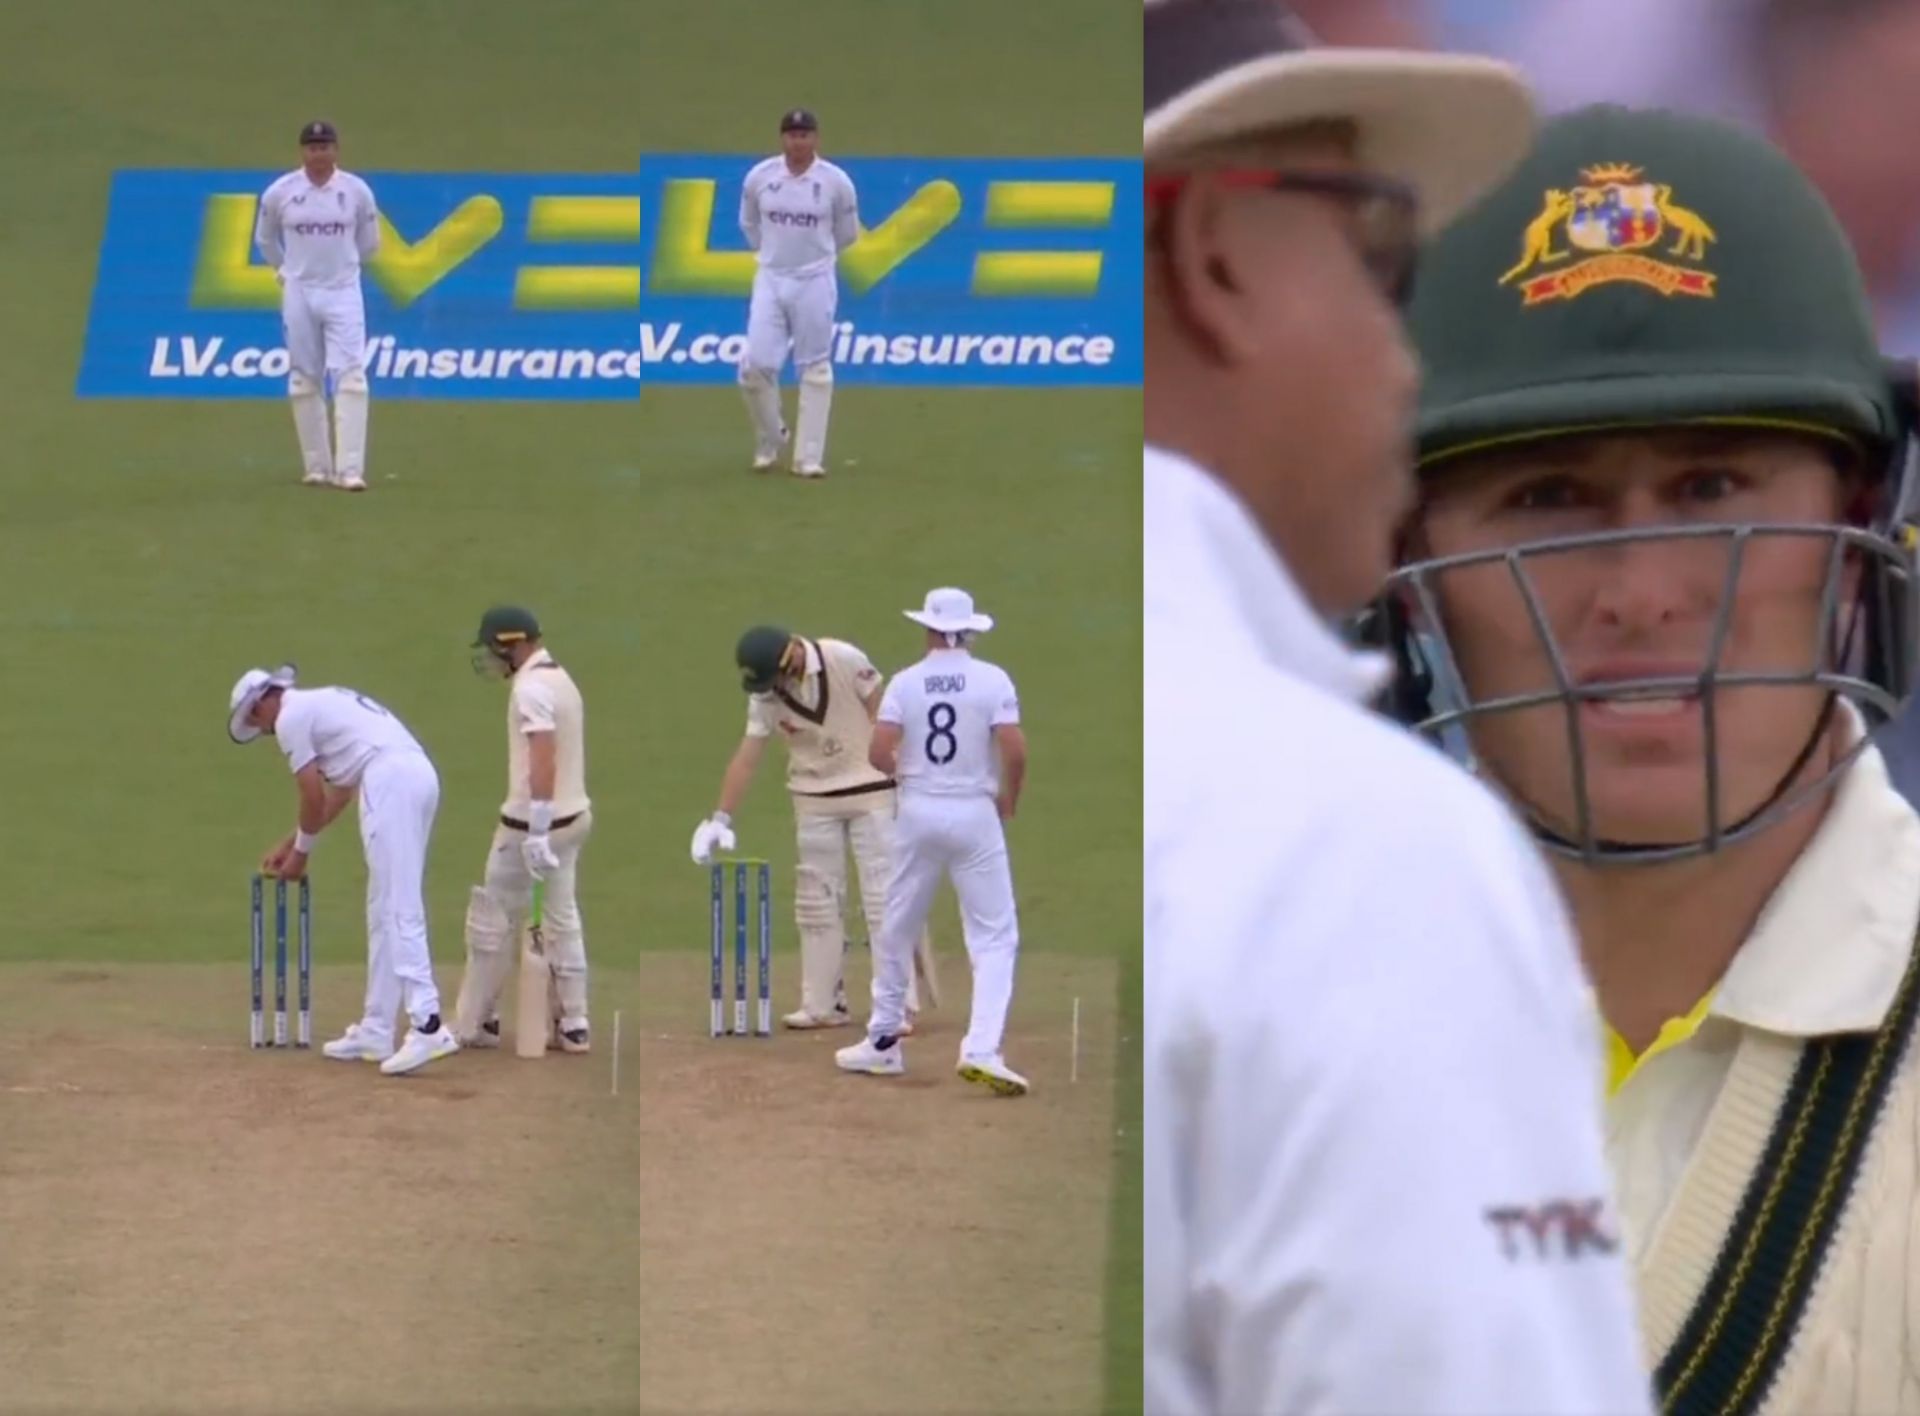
(798, 212)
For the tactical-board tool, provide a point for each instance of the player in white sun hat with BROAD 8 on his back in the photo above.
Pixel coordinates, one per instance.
(940, 728)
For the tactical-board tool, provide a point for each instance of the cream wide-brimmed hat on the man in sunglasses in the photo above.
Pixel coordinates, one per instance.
(1449, 126)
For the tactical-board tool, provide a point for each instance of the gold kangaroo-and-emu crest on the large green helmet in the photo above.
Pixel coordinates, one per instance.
(1625, 229)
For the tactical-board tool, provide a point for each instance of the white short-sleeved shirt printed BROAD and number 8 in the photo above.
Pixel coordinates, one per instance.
(948, 707)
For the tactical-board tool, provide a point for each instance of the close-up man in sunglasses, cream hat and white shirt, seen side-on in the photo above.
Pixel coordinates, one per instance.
(1370, 1060)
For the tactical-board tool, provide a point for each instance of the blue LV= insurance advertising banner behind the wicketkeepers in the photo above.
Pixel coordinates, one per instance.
(971, 271)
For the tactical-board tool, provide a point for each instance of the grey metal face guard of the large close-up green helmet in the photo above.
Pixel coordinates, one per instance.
(1863, 653)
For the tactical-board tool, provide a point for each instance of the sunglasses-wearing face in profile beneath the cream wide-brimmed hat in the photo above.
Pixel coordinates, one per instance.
(1295, 358)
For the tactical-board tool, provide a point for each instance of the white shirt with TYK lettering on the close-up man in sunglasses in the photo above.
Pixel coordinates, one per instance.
(1376, 1173)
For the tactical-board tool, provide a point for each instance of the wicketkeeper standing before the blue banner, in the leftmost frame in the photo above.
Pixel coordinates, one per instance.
(316, 227)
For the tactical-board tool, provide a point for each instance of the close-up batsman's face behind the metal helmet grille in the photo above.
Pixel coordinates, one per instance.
(1643, 609)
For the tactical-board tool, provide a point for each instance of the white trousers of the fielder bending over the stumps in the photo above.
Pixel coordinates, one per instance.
(400, 795)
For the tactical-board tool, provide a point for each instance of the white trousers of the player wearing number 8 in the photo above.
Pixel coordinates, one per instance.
(961, 839)
